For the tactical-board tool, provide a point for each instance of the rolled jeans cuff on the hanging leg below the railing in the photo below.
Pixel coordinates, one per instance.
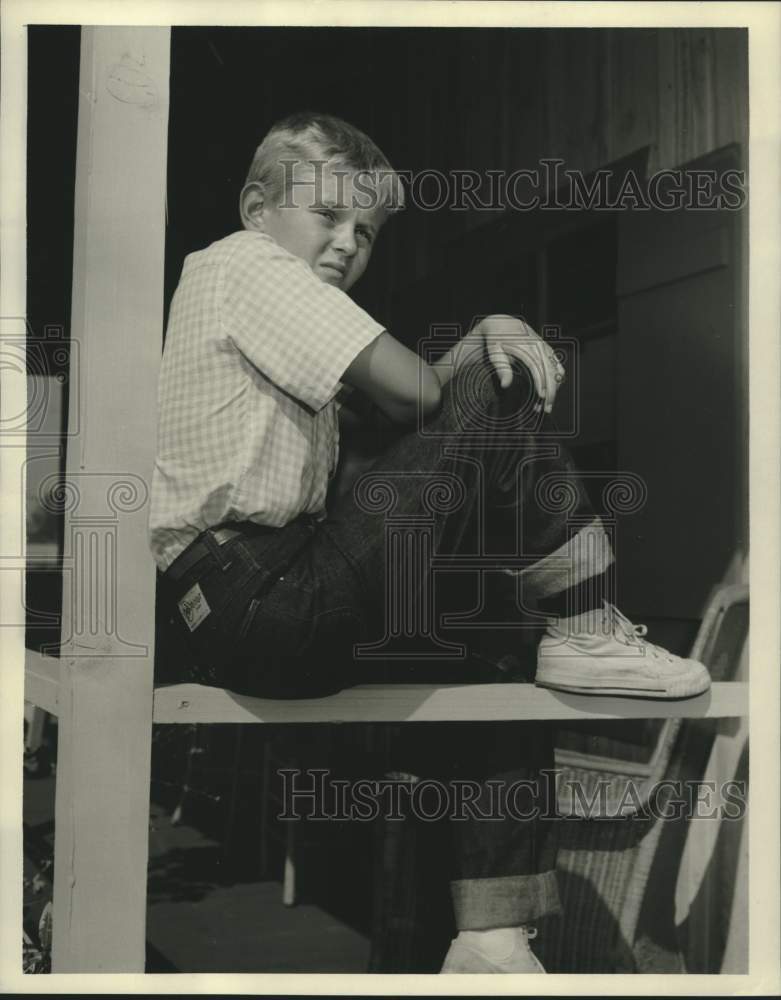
(507, 901)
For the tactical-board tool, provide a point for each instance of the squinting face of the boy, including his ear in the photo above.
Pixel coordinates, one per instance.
(320, 221)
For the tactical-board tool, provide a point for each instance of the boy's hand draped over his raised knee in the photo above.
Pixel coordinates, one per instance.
(505, 339)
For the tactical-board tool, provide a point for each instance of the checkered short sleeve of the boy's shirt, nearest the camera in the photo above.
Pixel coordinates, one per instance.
(301, 333)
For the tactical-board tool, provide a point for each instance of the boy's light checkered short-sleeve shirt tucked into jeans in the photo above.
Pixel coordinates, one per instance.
(255, 350)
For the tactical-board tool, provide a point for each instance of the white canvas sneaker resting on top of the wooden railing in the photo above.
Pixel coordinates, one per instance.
(602, 652)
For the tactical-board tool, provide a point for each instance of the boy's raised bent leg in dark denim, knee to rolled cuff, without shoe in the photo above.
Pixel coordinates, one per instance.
(485, 478)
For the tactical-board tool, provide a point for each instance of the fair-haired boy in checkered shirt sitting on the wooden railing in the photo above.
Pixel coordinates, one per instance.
(273, 590)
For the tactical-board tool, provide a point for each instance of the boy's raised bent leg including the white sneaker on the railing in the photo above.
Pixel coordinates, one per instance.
(487, 478)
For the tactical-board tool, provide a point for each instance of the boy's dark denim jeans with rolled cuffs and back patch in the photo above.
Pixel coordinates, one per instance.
(294, 611)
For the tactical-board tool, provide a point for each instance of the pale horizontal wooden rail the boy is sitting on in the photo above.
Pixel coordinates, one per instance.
(429, 703)
